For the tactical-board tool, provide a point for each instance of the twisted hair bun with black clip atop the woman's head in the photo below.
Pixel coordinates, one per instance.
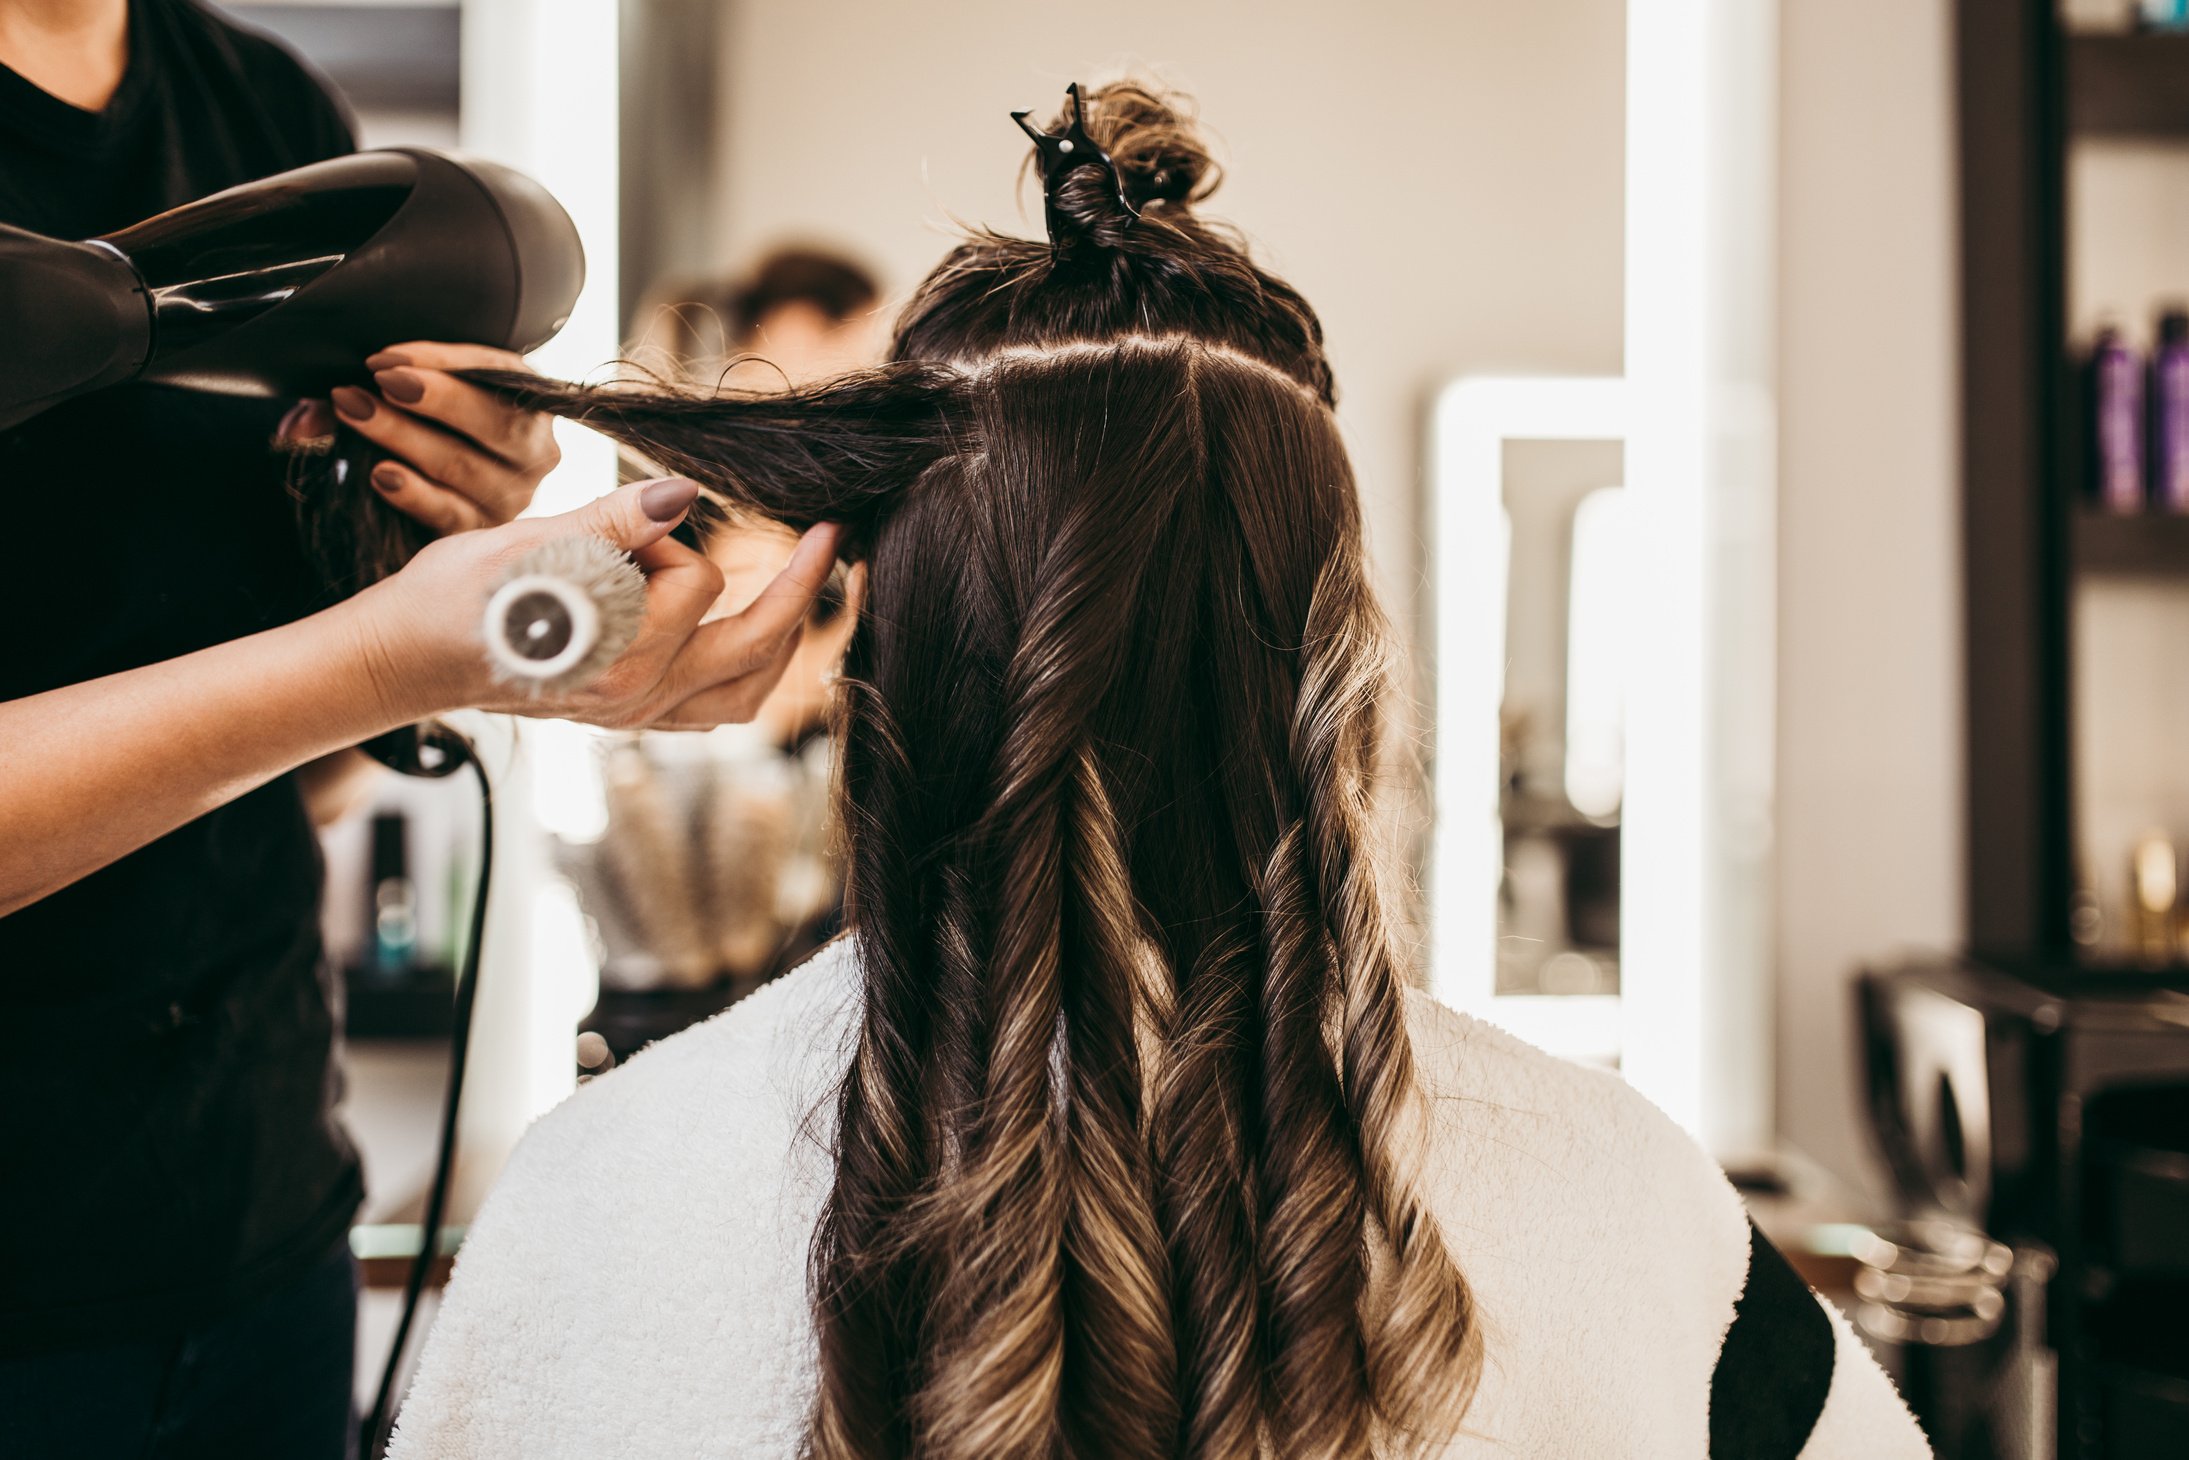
(1113, 154)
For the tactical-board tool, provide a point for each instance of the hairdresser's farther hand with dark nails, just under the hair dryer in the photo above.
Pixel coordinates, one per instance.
(463, 456)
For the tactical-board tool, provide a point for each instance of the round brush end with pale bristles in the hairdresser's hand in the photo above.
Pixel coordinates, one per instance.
(564, 614)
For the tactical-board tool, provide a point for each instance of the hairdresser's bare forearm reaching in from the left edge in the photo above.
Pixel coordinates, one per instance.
(95, 772)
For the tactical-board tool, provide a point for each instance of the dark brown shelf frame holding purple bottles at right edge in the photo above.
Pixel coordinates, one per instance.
(2026, 91)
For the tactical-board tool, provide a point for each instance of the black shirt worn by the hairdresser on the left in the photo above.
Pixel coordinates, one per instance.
(165, 1104)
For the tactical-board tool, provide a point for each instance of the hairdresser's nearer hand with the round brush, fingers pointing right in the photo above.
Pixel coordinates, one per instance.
(682, 673)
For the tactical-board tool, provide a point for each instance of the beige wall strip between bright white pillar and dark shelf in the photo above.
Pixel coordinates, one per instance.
(1871, 616)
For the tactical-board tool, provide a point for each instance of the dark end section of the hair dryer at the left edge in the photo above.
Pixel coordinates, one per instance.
(76, 318)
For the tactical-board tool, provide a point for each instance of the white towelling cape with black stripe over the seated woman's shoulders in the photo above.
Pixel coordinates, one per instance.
(636, 1286)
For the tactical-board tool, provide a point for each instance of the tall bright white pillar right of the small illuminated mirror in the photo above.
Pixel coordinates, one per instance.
(1702, 137)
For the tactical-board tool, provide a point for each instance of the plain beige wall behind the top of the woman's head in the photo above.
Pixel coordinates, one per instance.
(1441, 181)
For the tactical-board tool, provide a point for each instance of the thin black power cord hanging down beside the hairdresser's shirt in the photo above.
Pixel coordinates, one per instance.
(435, 752)
